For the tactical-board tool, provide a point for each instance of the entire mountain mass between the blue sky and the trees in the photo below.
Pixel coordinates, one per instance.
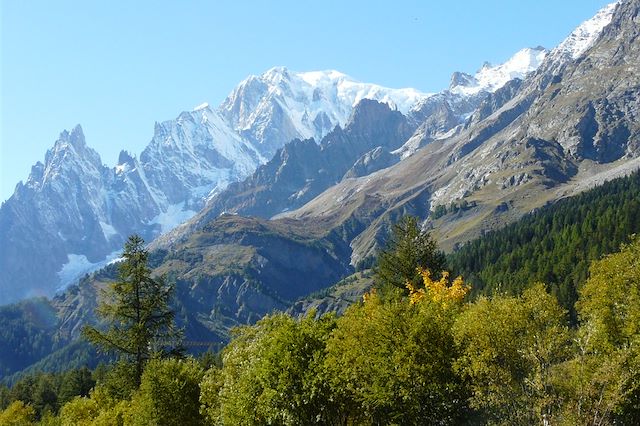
(294, 182)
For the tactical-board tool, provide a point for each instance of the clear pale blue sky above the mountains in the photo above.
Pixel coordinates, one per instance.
(116, 67)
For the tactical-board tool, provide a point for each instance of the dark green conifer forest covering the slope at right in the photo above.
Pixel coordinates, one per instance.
(554, 245)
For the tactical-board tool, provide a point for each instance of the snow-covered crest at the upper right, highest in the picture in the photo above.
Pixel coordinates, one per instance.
(585, 34)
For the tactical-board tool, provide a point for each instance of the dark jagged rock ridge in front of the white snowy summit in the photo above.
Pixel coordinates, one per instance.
(303, 169)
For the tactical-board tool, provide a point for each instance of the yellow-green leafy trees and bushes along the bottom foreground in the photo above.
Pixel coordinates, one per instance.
(424, 355)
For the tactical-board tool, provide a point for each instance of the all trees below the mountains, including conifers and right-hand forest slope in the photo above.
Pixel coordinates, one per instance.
(543, 328)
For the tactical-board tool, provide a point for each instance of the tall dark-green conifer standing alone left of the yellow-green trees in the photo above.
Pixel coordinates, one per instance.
(136, 311)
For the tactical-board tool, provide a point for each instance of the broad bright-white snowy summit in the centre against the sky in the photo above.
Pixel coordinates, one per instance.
(280, 105)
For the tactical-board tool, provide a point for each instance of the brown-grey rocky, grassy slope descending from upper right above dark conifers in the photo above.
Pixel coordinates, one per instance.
(572, 122)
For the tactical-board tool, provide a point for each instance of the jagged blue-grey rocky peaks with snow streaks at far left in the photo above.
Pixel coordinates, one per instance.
(74, 213)
